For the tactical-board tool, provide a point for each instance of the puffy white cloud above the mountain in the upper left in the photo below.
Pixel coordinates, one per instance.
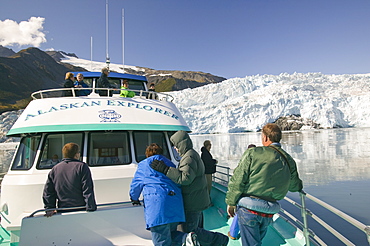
(25, 33)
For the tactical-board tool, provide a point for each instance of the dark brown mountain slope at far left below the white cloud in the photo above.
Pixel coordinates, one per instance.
(28, 71)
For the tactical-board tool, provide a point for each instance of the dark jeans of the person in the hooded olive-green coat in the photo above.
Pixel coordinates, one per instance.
(205, 238)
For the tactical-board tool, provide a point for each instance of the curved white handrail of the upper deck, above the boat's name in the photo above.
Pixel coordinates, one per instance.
(41, 94)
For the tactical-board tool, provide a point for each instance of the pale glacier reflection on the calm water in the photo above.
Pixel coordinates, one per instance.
(322, 156)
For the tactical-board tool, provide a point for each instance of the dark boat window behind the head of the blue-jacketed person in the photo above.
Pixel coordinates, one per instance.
(143, 139)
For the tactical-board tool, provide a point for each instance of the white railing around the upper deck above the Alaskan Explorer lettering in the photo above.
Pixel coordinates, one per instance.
(112, 92)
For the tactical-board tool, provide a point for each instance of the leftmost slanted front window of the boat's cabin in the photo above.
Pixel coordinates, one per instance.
(26, 153)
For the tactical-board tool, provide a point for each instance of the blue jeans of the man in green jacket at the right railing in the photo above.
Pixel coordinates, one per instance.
(253, 227)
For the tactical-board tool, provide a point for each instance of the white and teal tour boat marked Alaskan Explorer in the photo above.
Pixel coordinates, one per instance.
(113, 133)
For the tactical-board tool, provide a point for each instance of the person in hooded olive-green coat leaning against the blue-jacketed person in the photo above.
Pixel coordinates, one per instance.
(190, 175)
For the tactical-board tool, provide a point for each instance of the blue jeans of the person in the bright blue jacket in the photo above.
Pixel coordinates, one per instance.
(167, 235)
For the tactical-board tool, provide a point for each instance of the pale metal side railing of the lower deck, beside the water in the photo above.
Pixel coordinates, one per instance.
(223, 176)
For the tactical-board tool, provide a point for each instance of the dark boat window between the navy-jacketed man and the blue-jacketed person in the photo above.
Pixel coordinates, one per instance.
(109, 148)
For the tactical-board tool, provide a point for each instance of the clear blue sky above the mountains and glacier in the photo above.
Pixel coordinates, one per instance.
(229, 38)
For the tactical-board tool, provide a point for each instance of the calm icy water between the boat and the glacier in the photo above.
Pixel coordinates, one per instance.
(333, 164)
